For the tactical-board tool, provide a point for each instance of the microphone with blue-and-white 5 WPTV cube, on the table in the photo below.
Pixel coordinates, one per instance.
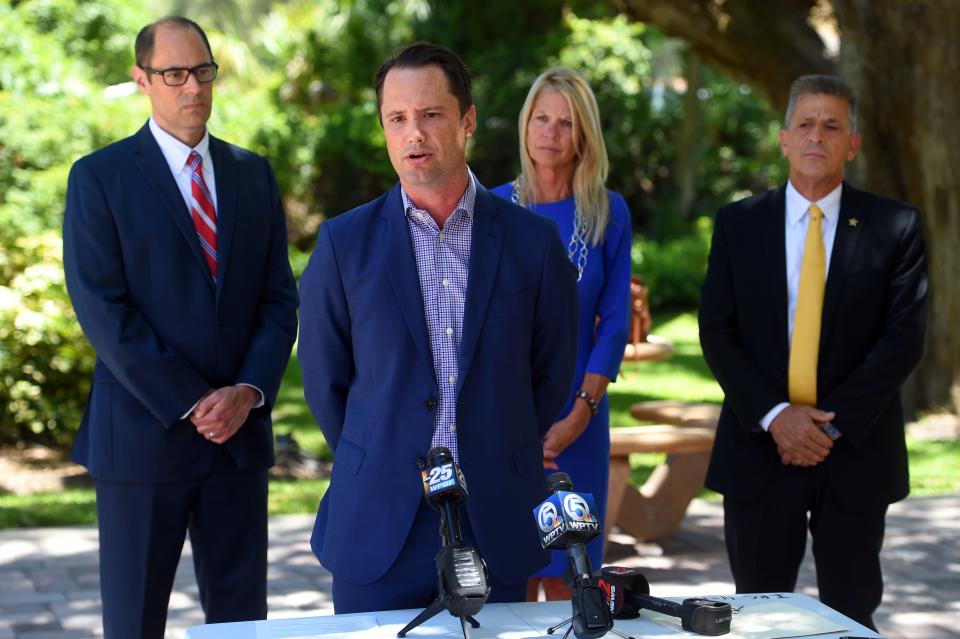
(567, 520)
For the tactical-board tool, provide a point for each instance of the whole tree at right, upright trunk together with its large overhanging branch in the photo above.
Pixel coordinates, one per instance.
(902, 58)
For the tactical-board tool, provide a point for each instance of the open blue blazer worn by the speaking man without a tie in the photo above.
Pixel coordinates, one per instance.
(369, 380)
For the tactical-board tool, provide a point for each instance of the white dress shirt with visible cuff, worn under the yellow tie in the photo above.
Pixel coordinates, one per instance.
(797, 220)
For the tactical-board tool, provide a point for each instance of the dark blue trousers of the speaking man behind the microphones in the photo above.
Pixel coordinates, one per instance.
(411, 582)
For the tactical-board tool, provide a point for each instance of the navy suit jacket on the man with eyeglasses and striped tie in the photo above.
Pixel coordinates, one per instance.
(163, 330)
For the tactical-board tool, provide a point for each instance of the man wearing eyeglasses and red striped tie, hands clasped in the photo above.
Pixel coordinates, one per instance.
(175, 253)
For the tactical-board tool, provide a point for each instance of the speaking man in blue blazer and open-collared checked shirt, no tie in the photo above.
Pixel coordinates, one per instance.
(435, 315)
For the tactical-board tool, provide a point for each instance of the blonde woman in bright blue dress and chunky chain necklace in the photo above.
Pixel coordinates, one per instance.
(563, 170)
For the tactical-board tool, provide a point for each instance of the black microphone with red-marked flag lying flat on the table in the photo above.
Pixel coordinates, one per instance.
(628, 591)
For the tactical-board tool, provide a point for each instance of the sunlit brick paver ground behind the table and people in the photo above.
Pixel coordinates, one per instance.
(49, 578)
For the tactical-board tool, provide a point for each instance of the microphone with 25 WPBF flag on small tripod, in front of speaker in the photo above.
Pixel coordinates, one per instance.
(461, 573)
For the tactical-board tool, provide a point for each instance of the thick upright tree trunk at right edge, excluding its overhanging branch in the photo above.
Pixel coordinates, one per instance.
(903, 59)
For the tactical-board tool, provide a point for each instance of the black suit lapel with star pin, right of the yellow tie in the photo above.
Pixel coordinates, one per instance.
(845, 244)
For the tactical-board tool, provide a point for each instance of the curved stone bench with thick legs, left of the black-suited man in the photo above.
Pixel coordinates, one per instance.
(655, 510)
